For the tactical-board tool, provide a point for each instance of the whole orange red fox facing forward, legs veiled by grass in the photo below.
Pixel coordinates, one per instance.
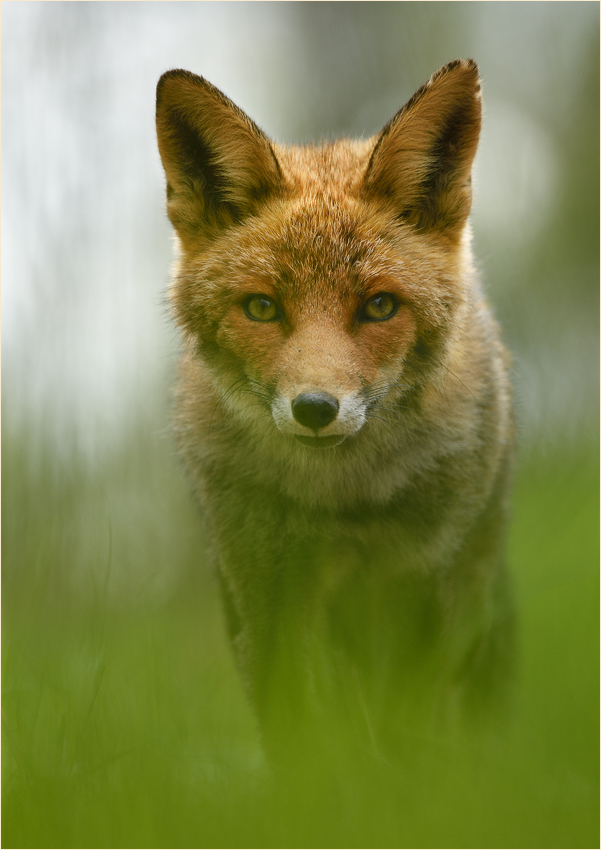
(344, 412)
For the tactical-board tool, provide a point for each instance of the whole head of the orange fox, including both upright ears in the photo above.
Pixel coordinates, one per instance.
(320, 285)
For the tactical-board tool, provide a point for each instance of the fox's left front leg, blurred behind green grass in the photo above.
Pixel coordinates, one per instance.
(271, 612)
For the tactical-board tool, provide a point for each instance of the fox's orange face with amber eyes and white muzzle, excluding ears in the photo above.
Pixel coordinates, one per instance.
(321, 349)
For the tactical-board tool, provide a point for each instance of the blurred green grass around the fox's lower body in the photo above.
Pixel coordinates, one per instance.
(125, 724)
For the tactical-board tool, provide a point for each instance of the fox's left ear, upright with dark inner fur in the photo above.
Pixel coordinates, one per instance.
(219, 165)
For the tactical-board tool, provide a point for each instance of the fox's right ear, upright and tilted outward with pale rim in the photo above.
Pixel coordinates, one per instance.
(422, 159)
